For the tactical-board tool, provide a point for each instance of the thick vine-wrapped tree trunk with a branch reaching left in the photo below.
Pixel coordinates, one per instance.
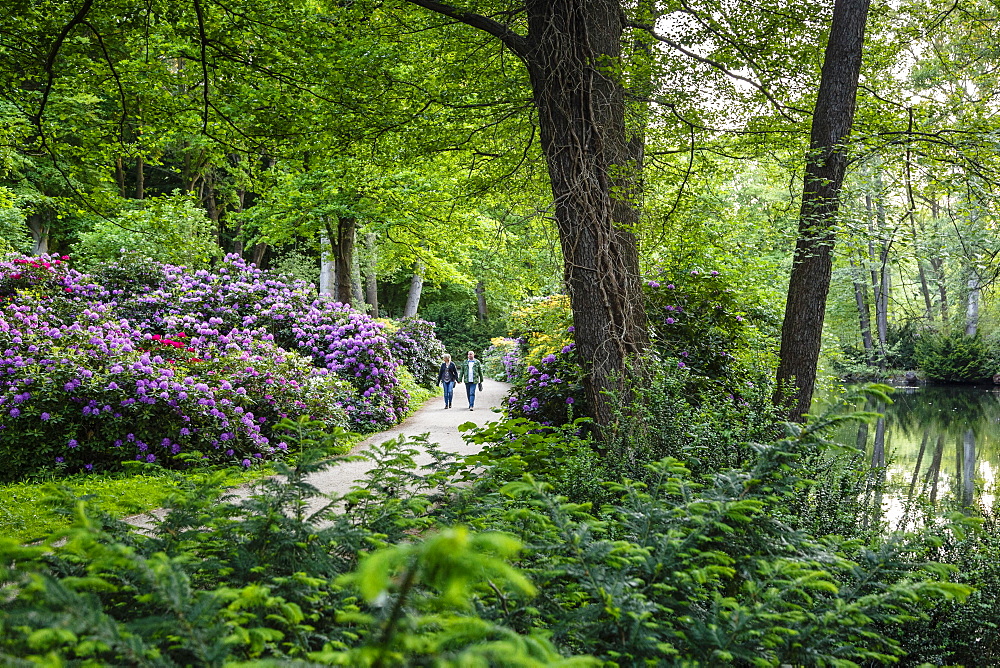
(573, 50)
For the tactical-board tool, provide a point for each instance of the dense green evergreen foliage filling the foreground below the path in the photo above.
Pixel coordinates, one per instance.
(625, 586)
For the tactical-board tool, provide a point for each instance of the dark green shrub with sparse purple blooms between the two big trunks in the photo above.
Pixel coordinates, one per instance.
(694, 318)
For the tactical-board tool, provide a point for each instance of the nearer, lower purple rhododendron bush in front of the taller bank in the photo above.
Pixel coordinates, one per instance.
(94, 392)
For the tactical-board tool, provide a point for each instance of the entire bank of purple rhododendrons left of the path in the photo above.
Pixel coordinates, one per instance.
(197, 362)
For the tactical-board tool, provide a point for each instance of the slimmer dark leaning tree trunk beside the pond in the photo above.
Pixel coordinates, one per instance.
(809, 283)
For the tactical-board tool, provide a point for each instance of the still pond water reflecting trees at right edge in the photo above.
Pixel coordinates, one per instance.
(938, 442)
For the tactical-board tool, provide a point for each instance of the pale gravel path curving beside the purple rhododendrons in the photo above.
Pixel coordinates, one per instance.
(433, 419)
